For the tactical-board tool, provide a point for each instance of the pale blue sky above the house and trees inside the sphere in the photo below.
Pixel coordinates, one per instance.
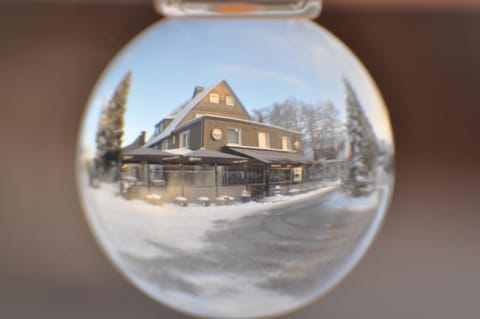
(264, 61)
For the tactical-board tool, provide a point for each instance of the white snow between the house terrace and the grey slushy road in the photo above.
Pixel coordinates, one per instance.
(140, 229)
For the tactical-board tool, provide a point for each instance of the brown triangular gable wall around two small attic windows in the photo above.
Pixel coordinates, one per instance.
(221, 109)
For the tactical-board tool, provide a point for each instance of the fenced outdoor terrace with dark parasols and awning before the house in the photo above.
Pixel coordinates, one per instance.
(206, 177)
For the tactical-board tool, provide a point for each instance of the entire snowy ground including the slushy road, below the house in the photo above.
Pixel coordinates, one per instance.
(212, 260)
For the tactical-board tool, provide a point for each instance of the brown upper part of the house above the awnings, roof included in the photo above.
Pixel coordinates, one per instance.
(215, 118)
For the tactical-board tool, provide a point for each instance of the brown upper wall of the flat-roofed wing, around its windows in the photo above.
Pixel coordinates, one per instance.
(249, 134)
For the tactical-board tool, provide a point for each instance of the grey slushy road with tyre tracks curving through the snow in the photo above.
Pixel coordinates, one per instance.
(289, 251)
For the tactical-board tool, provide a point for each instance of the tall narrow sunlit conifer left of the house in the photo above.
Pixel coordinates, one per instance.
(110, 128)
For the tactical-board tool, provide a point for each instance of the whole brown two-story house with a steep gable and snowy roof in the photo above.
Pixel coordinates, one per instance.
(216, 121)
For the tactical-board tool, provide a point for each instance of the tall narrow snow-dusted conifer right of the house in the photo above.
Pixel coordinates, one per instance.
(359, 175)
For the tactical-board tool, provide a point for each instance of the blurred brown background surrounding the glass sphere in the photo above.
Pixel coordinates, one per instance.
(425, 56)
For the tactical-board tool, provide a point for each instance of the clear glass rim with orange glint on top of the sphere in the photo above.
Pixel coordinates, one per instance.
(308, 9)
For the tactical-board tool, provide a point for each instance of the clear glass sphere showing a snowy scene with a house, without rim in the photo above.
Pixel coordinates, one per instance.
(235, 168)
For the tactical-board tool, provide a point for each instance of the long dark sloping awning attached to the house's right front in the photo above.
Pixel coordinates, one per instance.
(270, 157)
